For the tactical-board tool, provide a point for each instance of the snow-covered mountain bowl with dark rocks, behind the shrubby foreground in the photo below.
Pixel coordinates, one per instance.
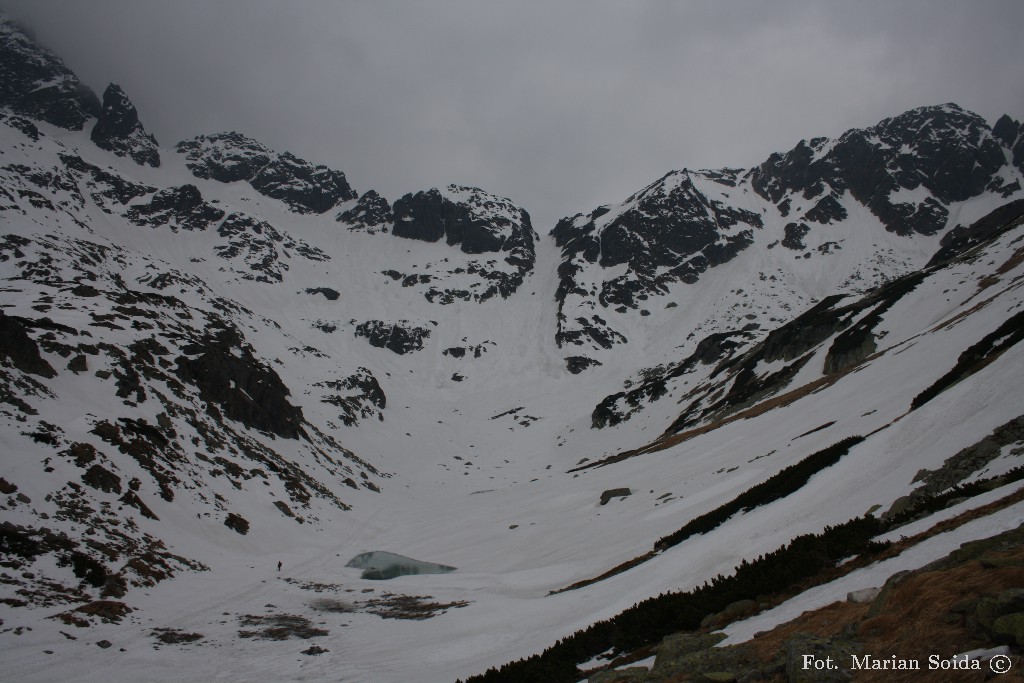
(216, 358)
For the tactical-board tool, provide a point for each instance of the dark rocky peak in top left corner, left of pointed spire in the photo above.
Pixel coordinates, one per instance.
(36, 83)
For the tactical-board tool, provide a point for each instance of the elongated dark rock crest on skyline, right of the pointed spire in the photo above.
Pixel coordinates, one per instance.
(304, 187)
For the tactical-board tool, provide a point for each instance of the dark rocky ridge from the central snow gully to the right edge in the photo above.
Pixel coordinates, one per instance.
(908, 170)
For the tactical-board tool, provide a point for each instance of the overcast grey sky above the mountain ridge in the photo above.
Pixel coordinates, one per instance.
(559, 106)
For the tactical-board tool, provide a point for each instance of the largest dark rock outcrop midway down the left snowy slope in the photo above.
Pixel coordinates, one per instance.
(230, 378)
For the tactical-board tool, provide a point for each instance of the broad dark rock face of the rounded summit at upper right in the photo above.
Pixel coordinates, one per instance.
(945, 150)
